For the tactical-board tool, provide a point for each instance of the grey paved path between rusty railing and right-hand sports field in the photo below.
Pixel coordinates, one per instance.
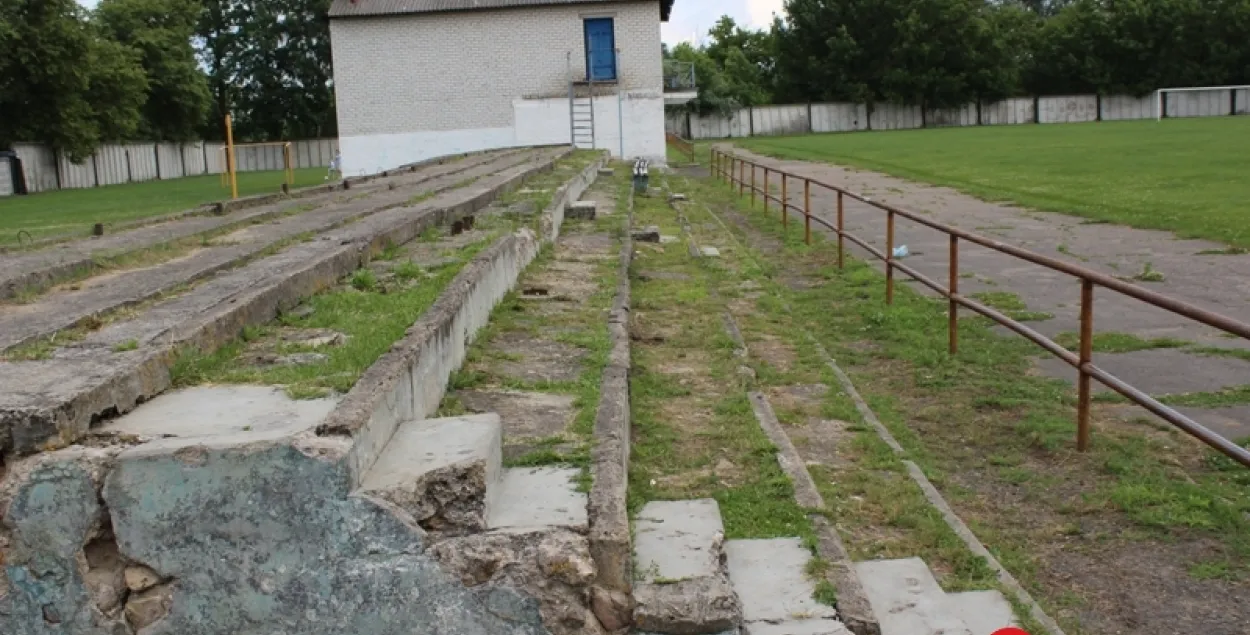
(1218, 283)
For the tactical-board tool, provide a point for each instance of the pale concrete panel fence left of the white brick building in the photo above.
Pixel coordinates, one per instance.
(44, 169)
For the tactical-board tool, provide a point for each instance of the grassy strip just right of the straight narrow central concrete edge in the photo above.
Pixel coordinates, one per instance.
(694, 432)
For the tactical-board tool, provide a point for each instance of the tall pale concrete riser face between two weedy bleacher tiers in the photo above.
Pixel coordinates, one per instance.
(411, 381)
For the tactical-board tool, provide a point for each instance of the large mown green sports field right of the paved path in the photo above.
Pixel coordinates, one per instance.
(1186, 176)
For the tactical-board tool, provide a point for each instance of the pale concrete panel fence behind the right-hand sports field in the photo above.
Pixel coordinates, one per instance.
(798, 119)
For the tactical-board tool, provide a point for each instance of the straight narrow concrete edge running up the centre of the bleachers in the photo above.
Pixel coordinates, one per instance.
(611, 539)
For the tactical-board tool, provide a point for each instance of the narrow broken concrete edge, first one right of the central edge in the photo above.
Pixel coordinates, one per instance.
(853, 604)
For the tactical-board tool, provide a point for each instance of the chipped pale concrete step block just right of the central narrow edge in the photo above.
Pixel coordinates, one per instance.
(681, 563)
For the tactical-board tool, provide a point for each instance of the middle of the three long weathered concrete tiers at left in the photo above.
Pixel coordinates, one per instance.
(68, 308)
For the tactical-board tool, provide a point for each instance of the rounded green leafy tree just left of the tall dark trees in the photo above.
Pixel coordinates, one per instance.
(161, 31)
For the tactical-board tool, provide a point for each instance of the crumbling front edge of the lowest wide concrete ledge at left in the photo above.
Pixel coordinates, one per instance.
(28, 431)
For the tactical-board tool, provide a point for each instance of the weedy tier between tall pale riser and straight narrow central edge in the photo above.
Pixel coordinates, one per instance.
(546, 323)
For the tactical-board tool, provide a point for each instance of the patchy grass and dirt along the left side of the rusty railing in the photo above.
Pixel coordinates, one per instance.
(1078, 529)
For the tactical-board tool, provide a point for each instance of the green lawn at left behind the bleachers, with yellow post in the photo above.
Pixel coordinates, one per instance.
(74, 212)
